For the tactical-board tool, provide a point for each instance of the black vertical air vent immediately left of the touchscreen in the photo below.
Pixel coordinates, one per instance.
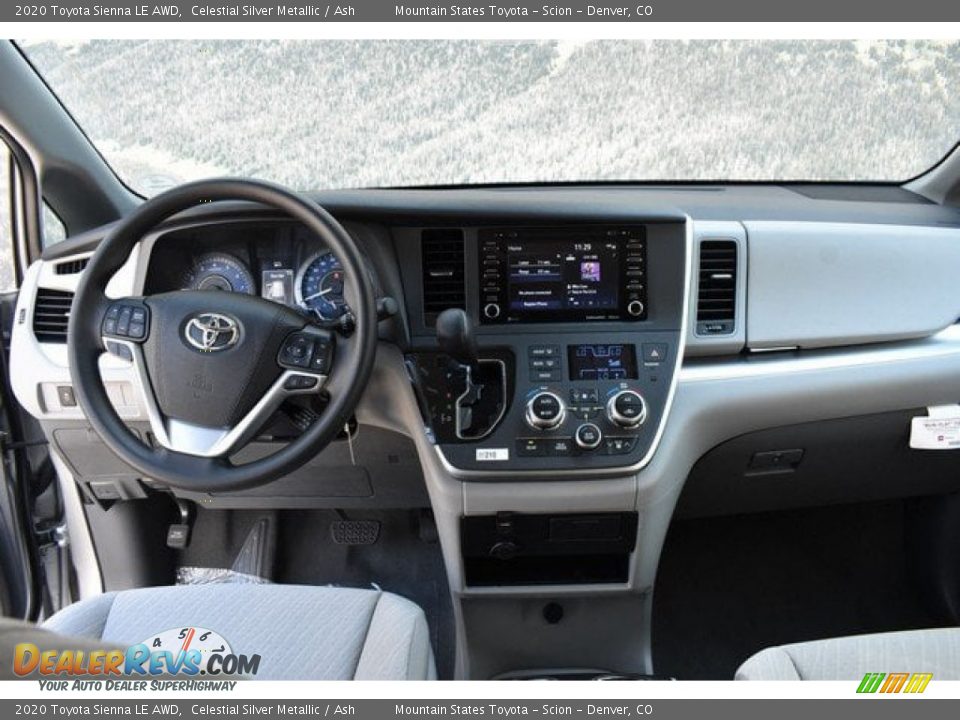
(444, 283)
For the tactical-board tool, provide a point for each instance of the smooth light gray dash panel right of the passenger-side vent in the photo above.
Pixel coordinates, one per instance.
(814, 285)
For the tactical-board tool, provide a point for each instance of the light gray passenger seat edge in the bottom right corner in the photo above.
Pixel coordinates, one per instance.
(850, 658)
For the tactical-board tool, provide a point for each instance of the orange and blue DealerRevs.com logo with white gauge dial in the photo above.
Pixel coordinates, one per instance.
(188, 651)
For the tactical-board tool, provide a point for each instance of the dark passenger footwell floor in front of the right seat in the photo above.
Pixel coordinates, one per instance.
(729, 587)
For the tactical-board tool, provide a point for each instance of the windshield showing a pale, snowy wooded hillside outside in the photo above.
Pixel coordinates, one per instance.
(330, 114)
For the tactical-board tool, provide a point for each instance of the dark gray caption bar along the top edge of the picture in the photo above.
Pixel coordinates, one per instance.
(643, 11)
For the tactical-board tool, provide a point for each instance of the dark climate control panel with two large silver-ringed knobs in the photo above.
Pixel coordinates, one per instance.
(595, 403)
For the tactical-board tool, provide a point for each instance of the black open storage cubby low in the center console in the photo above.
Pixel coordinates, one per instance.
(568, 549)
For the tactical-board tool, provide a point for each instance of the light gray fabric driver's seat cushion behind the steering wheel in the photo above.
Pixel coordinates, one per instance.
(301, 633)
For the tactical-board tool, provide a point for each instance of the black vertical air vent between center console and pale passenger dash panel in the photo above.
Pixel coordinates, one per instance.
(717, 296)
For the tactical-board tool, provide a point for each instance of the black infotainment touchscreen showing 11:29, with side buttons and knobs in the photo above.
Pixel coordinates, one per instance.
(556, 275)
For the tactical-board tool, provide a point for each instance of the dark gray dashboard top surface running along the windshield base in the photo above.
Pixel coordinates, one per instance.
(854, 203)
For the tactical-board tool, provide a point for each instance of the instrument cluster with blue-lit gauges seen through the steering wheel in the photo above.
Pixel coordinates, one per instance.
(281, 262)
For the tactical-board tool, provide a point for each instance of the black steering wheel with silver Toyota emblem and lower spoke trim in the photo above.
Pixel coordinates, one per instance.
(214, 366)
